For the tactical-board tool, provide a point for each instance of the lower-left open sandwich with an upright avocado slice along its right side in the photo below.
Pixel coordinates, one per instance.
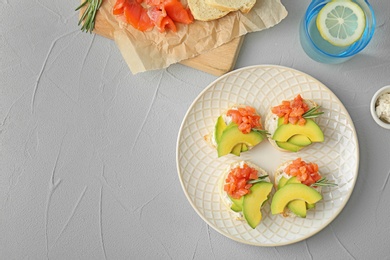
(244, 187)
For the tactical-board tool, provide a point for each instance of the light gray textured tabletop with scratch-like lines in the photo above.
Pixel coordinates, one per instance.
(87, 150)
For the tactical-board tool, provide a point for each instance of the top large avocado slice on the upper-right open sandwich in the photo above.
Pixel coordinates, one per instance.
(310, 129)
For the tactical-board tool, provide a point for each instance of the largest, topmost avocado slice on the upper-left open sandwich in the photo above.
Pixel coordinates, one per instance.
(232, 136)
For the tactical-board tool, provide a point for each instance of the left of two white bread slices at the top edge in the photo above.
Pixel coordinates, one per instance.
(204, 12)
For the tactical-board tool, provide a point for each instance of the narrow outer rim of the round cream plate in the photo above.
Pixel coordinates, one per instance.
(347, 197)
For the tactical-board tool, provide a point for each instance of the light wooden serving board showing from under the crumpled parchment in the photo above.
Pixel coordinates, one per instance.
(216, 62)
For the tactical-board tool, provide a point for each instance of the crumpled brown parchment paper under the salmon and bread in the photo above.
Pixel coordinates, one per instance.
(151, 50)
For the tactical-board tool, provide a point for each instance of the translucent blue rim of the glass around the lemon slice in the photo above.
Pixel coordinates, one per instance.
(354, 48)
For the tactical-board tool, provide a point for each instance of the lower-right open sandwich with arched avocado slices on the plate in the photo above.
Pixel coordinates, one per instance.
(298, 187)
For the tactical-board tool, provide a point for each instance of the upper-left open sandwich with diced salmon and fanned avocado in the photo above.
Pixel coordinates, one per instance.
(237, 130)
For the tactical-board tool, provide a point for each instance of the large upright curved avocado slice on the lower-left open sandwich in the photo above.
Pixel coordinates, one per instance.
(251, 206)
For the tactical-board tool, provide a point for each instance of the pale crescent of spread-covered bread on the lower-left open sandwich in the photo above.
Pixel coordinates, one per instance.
(224, 197)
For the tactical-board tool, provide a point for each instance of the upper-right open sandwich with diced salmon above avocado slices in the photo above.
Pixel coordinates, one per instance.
(291, 124)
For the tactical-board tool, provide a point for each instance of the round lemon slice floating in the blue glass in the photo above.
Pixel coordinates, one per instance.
(341, 22)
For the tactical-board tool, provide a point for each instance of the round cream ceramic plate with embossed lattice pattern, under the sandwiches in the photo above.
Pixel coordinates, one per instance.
(264, 86)
